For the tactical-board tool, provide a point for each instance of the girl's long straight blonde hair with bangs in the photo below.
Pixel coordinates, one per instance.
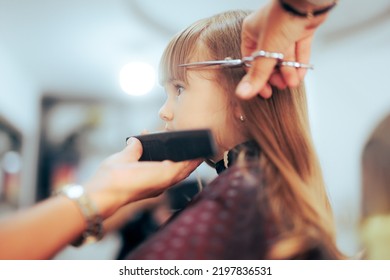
(295, 193)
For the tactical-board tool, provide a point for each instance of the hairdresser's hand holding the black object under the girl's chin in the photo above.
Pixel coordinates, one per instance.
(122, 179)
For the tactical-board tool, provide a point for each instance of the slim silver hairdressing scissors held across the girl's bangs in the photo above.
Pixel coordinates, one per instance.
(247, 61)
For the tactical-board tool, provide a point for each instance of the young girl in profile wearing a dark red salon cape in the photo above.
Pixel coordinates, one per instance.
(269, 200)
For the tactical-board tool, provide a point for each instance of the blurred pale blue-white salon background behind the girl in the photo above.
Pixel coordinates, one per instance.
(61, 98)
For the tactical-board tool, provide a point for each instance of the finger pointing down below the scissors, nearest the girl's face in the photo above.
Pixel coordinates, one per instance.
(256, 78)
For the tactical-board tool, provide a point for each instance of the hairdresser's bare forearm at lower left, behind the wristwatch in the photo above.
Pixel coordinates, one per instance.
(42, 231)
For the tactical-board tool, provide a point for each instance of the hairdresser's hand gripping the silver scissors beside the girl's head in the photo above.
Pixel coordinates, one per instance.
(272, 29)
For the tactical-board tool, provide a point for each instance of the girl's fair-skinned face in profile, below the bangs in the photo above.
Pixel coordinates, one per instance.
(199, 104)
